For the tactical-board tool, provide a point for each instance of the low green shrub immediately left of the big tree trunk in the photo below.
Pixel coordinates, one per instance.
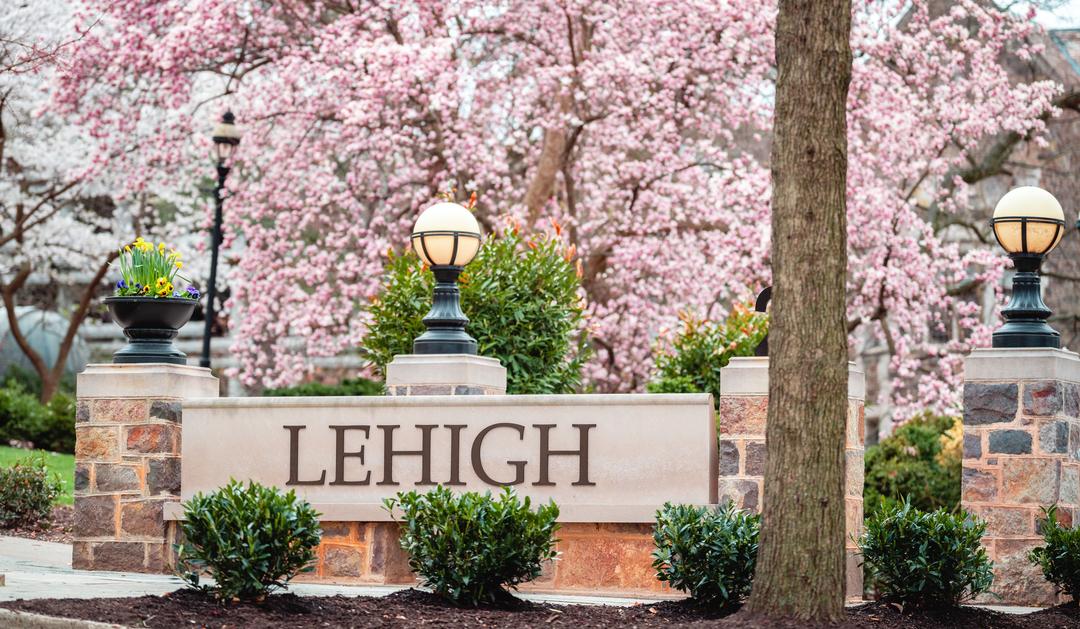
(709, 554)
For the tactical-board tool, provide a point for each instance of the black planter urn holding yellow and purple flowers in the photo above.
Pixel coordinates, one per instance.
(151, 326)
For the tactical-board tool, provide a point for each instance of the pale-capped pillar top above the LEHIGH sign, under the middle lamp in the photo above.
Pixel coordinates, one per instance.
(445, 374)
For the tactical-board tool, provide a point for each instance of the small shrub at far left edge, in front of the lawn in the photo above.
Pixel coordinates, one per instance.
(28, 492)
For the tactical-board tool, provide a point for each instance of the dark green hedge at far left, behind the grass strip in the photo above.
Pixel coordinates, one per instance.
(47, 426)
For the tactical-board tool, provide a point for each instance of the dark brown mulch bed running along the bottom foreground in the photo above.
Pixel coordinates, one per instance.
(413, 608)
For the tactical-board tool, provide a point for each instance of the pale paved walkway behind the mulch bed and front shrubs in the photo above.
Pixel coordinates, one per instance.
(43, 570)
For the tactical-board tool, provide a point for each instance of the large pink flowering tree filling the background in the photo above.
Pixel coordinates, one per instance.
(641, 128)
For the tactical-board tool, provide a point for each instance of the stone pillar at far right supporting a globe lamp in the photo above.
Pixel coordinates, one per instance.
(1021, 452)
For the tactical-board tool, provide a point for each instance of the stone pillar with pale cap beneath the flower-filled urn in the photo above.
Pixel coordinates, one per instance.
(128, 462)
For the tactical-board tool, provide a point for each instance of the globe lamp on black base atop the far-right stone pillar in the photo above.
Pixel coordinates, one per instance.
(1029, 223)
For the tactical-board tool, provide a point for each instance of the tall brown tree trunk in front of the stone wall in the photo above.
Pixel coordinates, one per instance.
(801, 564)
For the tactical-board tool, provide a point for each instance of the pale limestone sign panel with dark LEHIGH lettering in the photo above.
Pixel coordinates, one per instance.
(603, 459)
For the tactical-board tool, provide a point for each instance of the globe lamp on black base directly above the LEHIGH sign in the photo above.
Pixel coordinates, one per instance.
(447, 237)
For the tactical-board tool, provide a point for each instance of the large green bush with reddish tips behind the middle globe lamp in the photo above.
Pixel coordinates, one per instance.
(522, 297)
